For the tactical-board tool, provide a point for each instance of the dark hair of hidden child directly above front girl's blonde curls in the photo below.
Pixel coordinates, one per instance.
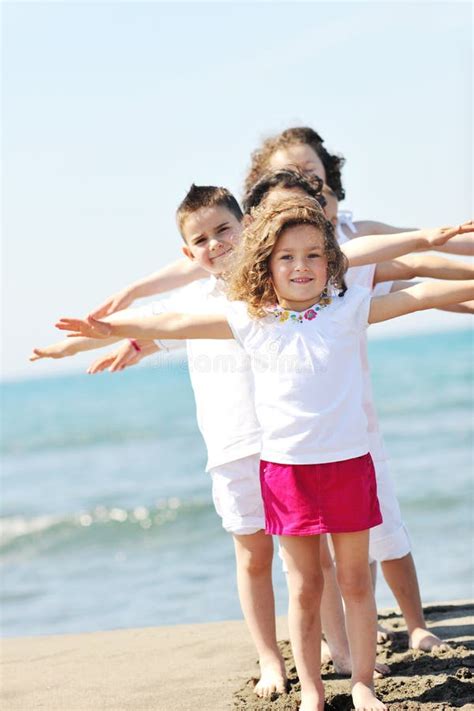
(284, 178)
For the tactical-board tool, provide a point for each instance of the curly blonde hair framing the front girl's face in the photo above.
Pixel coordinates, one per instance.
(249, 278)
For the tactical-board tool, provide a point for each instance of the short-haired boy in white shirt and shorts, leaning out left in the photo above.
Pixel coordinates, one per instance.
(209, 220)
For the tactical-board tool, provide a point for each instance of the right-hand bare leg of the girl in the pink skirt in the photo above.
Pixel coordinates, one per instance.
(355, 583)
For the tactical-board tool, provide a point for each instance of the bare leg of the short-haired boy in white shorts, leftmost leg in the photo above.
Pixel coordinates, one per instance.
(254, 555)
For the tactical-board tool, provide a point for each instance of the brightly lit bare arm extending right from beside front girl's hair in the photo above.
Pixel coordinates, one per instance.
(370, 250)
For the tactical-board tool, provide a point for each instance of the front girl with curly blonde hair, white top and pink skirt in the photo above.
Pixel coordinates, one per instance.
(301, 327)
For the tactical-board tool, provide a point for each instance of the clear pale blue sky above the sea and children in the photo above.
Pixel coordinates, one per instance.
(112, 109)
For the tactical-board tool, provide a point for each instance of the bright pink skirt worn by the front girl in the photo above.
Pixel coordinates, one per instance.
(309, 499)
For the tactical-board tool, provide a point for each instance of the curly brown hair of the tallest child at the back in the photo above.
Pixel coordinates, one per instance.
(301, 135)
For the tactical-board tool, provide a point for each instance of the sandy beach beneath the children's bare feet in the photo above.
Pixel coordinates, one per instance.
(212, 667)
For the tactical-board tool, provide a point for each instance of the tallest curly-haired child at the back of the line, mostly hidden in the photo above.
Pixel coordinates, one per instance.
(390, 544)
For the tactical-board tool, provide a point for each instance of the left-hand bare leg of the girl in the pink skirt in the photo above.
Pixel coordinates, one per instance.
(305, 583)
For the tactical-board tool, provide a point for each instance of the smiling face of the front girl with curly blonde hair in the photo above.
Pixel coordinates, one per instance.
(299, 267)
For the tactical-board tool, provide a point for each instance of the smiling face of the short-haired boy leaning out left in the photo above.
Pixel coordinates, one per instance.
(210, 234)
